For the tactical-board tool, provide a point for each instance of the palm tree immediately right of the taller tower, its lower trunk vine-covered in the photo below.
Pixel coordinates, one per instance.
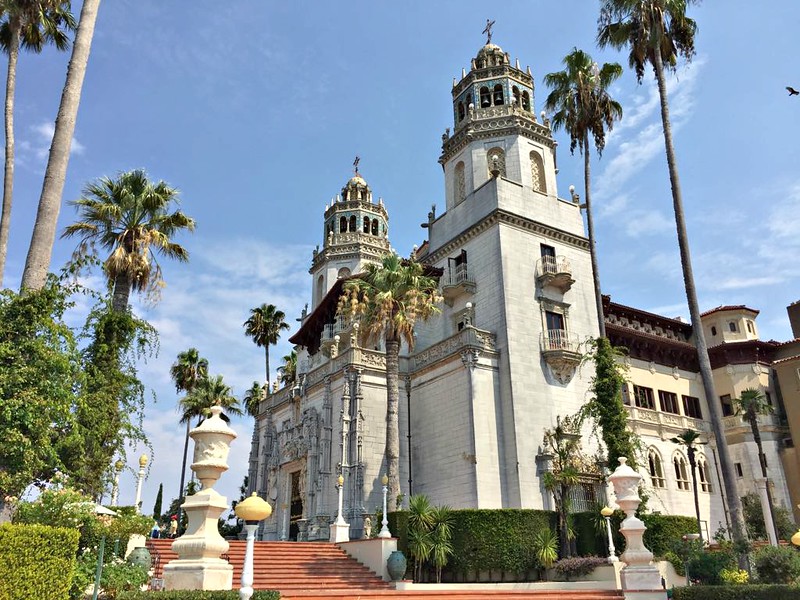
(581, 105)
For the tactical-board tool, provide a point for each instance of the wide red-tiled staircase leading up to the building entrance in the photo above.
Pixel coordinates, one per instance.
(317, 570)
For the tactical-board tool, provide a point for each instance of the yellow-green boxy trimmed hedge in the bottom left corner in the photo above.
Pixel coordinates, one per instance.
(36, 561)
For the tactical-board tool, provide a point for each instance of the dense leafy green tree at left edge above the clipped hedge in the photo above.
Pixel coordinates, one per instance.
(40, 375)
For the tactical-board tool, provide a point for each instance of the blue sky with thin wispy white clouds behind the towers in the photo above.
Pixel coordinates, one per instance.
(255, 111)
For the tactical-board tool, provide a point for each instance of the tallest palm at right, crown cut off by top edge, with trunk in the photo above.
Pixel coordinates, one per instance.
(657, 32)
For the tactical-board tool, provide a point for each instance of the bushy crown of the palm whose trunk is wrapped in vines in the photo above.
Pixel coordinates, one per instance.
(129, 216)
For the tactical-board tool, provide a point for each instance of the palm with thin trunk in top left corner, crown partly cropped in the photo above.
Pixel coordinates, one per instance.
(30, 25)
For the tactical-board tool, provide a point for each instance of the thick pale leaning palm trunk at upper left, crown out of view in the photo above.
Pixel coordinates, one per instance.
(40, 250)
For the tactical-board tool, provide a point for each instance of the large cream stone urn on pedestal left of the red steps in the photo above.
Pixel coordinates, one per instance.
(199, 566)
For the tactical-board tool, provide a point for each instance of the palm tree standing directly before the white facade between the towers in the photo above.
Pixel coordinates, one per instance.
(389, 299)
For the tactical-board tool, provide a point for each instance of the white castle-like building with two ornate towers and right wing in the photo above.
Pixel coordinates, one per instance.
(501, 363)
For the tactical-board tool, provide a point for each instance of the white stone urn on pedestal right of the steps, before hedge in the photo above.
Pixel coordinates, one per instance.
(641, 579)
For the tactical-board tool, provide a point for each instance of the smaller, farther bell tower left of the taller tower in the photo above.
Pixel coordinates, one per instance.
(356, 232)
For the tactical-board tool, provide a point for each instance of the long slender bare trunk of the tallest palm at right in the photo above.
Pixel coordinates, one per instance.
(726, 464)
